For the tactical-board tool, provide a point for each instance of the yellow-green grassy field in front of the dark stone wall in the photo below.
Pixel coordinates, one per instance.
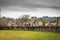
(28, 35)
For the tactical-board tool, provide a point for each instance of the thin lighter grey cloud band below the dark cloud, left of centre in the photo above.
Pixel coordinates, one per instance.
(20, 9)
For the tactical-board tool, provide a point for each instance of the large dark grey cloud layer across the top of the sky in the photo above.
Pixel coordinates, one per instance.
(30, 4)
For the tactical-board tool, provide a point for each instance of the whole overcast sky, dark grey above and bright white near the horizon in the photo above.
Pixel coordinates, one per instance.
(39, 8)
